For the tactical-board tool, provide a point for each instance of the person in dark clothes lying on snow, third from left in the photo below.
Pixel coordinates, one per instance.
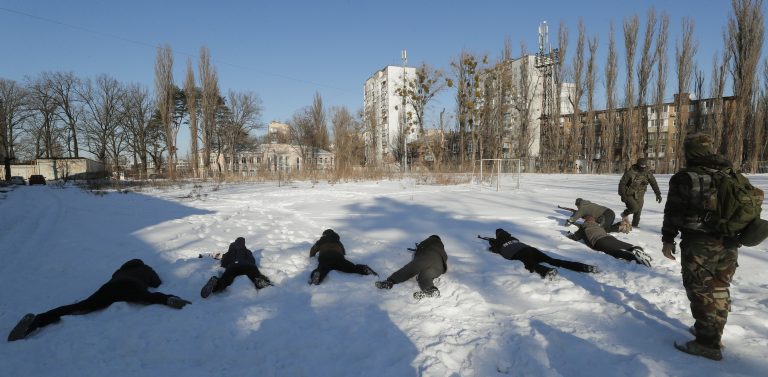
(331, 256)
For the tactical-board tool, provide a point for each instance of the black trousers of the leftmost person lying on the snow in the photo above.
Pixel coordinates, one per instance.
(128, 290)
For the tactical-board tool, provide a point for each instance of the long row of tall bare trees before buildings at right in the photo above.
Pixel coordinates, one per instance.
(494, 101)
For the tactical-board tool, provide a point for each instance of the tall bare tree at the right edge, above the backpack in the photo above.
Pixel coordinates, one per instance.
(746, 33)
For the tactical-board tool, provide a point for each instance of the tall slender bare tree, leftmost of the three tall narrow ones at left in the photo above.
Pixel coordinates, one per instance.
(164, 90)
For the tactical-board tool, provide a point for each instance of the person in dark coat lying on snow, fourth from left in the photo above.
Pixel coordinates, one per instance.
(429, 261)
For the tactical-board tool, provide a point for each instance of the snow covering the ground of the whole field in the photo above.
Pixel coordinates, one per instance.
(493, 318)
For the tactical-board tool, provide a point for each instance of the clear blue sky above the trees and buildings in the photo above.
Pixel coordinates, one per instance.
(285, 51)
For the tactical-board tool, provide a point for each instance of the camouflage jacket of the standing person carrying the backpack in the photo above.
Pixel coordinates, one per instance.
(679, 207)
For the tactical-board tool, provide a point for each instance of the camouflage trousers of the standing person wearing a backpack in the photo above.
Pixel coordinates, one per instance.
(708, 268)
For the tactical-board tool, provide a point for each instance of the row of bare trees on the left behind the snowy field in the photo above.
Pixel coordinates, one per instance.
(57, 114)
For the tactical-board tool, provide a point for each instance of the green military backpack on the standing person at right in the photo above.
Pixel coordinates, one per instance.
(723, 202)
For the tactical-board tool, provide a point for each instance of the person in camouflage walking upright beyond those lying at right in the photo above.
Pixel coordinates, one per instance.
(632, 187)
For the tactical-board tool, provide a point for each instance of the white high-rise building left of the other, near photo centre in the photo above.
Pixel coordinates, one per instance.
(383, 112)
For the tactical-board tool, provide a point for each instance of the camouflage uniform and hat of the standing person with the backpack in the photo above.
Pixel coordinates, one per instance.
(709, 260)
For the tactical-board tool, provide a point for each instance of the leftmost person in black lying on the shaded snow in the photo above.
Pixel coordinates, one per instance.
(129, 283)
